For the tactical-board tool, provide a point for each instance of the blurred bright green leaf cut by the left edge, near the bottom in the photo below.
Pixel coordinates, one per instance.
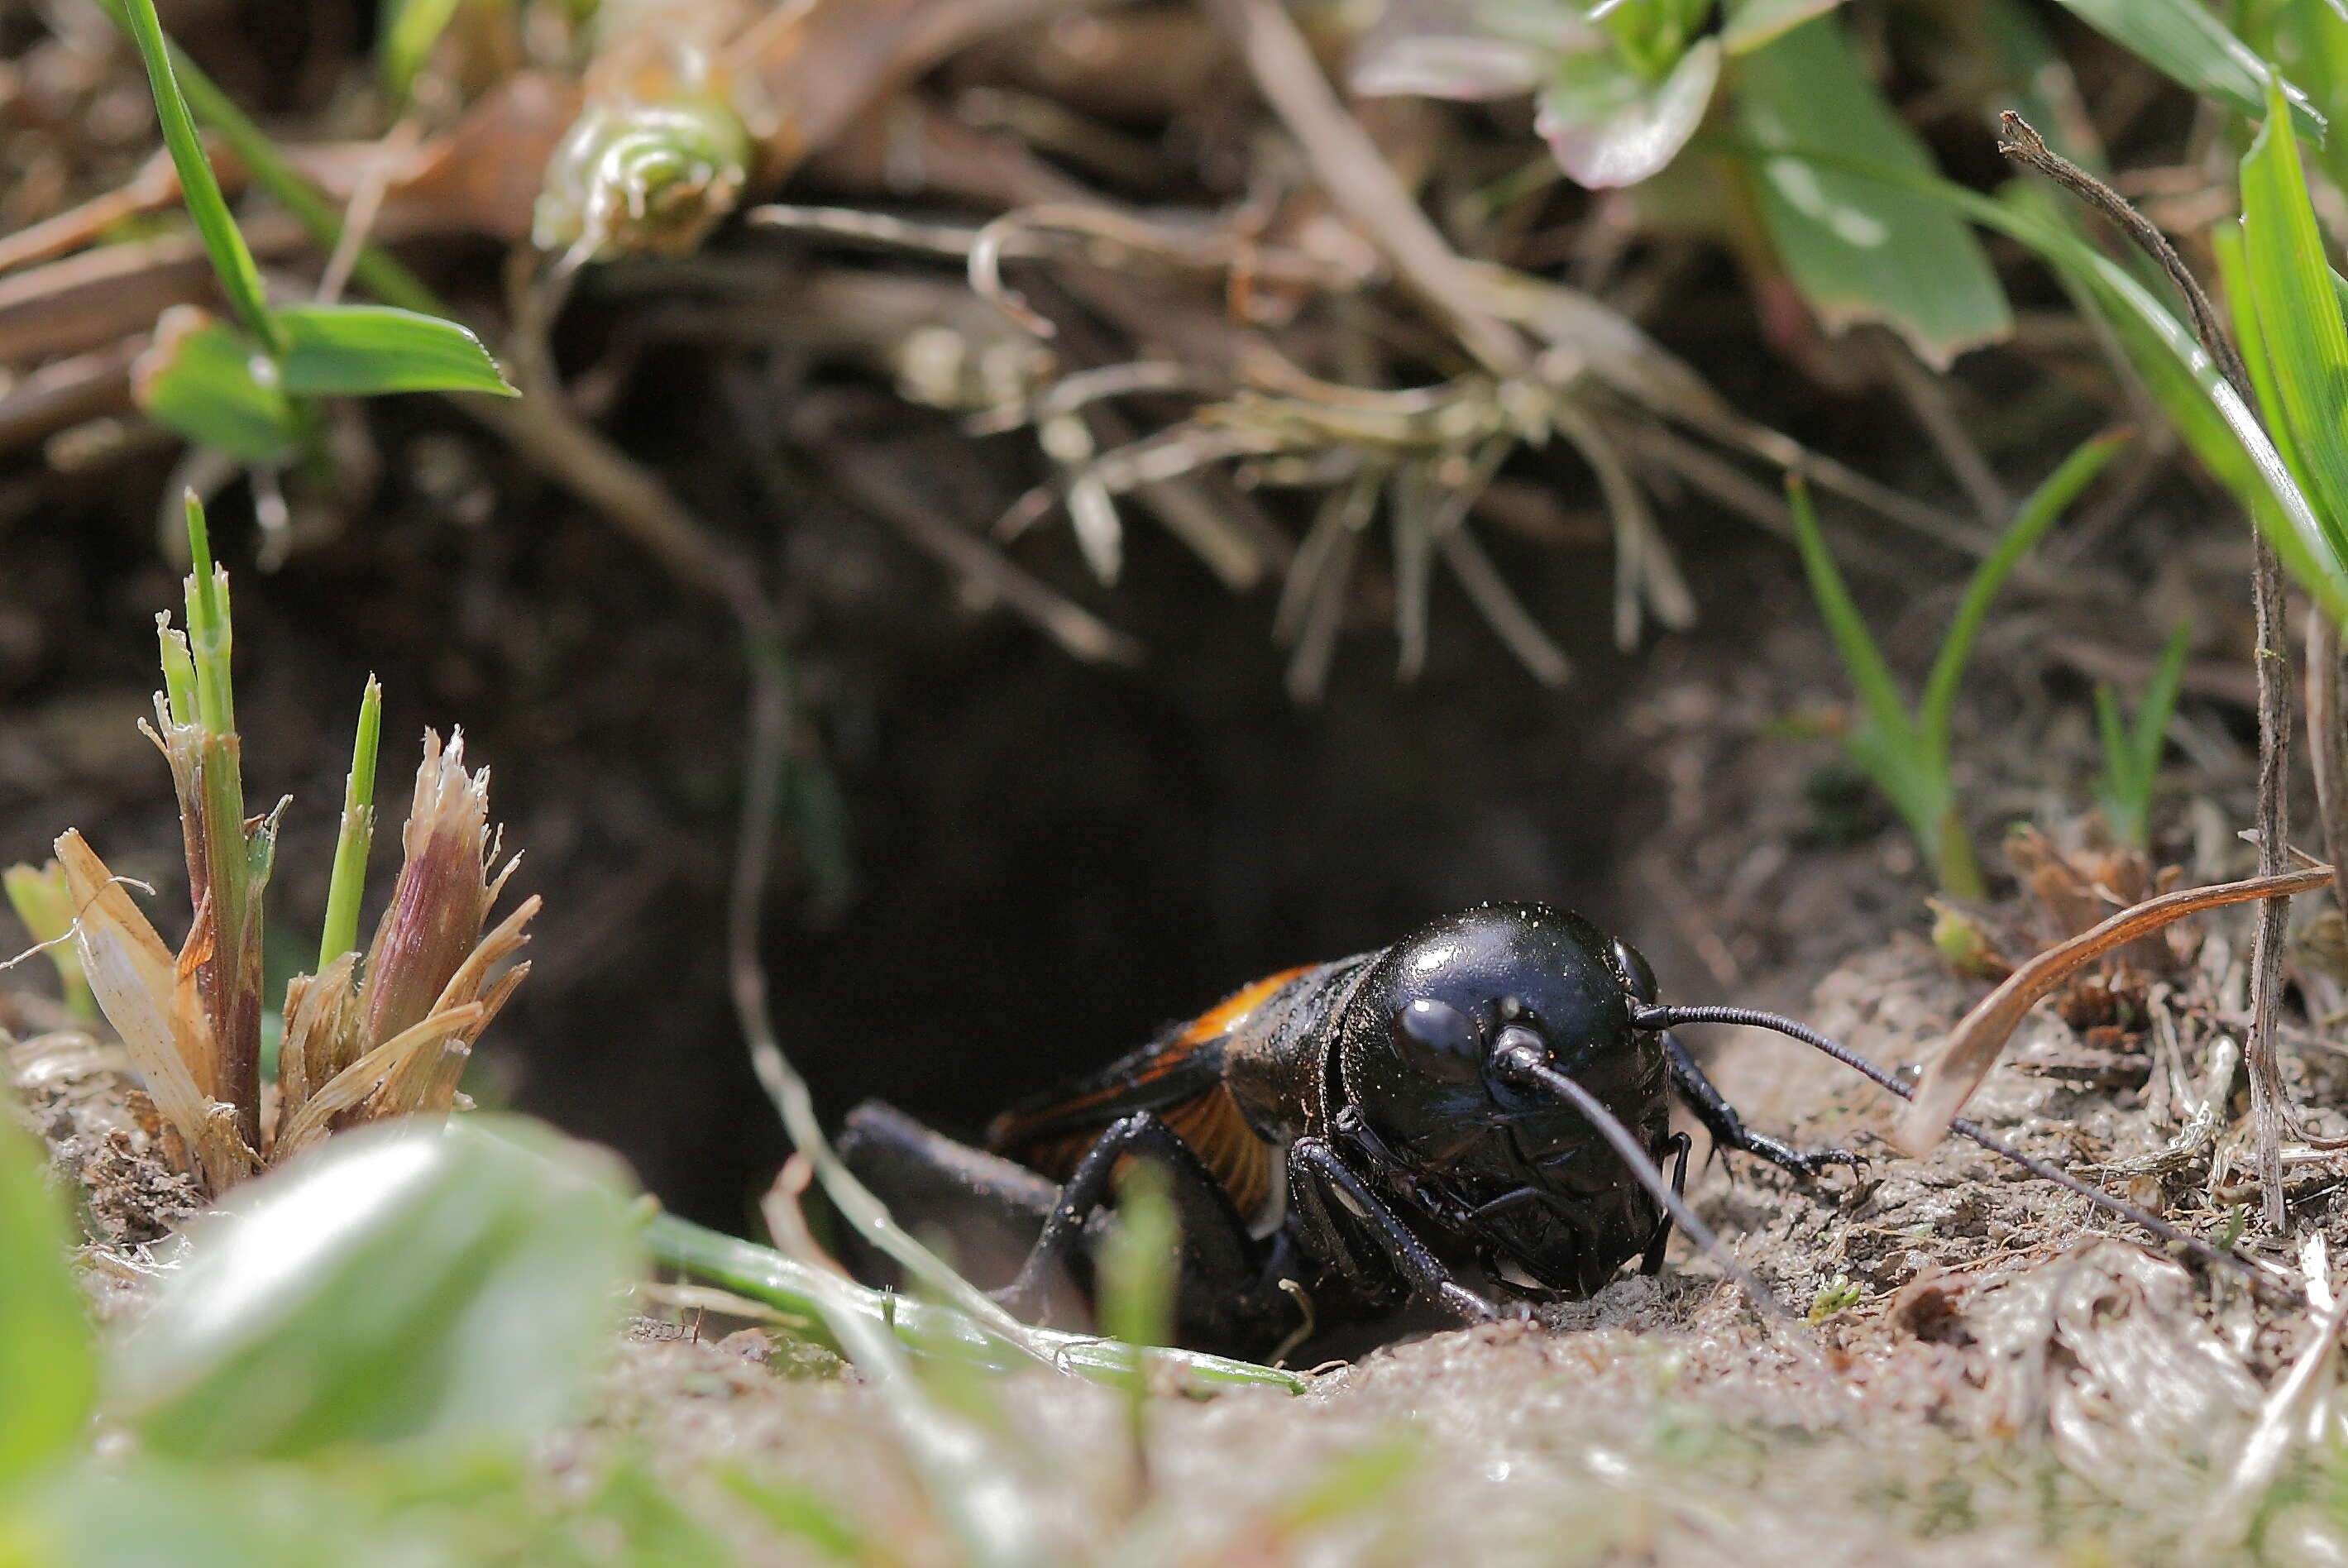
(48, 1370)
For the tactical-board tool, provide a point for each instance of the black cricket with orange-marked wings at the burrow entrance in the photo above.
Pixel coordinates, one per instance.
(1492, 1090)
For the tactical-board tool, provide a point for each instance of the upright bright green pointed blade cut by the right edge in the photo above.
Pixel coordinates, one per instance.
(2300, 320)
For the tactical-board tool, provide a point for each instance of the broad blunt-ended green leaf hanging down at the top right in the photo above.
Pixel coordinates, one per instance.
(1861, 250)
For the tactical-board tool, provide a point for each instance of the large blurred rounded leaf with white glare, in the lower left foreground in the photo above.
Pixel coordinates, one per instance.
(403, 1280)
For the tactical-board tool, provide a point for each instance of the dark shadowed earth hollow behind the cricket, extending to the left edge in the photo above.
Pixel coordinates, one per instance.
(1055, 860)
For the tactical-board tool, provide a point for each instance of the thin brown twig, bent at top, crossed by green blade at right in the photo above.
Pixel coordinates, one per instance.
(2267, 1097)
